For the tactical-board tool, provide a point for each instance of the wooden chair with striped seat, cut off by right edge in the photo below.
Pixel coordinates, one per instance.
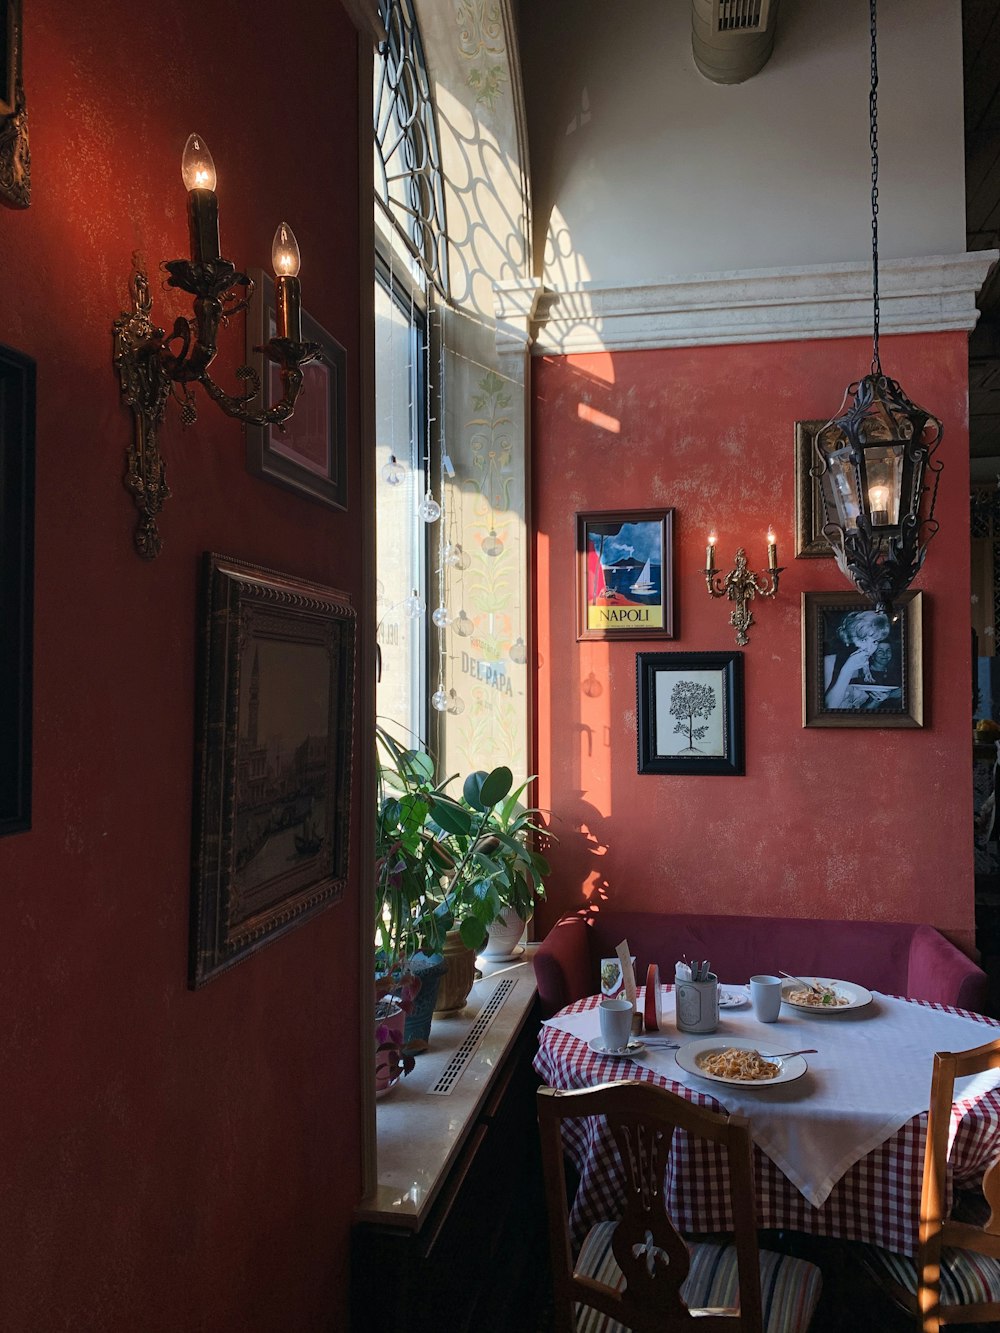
(955, 1278)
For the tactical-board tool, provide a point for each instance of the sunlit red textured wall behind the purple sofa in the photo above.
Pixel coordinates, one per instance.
(849, 824)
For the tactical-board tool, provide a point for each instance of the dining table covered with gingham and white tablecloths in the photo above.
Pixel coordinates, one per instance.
(838, 1148)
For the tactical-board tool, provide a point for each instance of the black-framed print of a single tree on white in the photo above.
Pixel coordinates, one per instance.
(690, 714)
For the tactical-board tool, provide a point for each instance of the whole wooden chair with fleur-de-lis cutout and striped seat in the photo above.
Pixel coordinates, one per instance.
(639, 1274)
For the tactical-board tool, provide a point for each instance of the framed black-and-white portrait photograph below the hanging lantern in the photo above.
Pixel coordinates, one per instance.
(861, 668)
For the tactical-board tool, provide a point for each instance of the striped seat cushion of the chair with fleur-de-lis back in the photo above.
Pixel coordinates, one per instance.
(790, 1287)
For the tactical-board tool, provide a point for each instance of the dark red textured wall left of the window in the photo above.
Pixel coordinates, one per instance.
(171, 1160)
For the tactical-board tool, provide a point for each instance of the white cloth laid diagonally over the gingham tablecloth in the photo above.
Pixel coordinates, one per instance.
(871, 1074)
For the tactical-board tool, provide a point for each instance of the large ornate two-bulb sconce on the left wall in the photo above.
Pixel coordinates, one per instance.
(150, 363)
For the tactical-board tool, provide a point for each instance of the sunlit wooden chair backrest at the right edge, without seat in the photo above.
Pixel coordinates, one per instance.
(937, 1230)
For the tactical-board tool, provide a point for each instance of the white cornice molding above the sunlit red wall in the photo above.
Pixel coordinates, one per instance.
(926, 295)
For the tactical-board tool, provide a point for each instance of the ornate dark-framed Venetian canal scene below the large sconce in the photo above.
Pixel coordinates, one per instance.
(273, 782)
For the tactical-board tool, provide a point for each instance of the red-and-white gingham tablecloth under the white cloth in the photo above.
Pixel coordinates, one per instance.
(877, 1200)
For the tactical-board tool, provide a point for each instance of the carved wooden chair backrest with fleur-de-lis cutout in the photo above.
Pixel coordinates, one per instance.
(647, 1247)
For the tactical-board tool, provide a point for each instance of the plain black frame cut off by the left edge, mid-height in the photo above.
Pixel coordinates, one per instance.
(17, 585)
